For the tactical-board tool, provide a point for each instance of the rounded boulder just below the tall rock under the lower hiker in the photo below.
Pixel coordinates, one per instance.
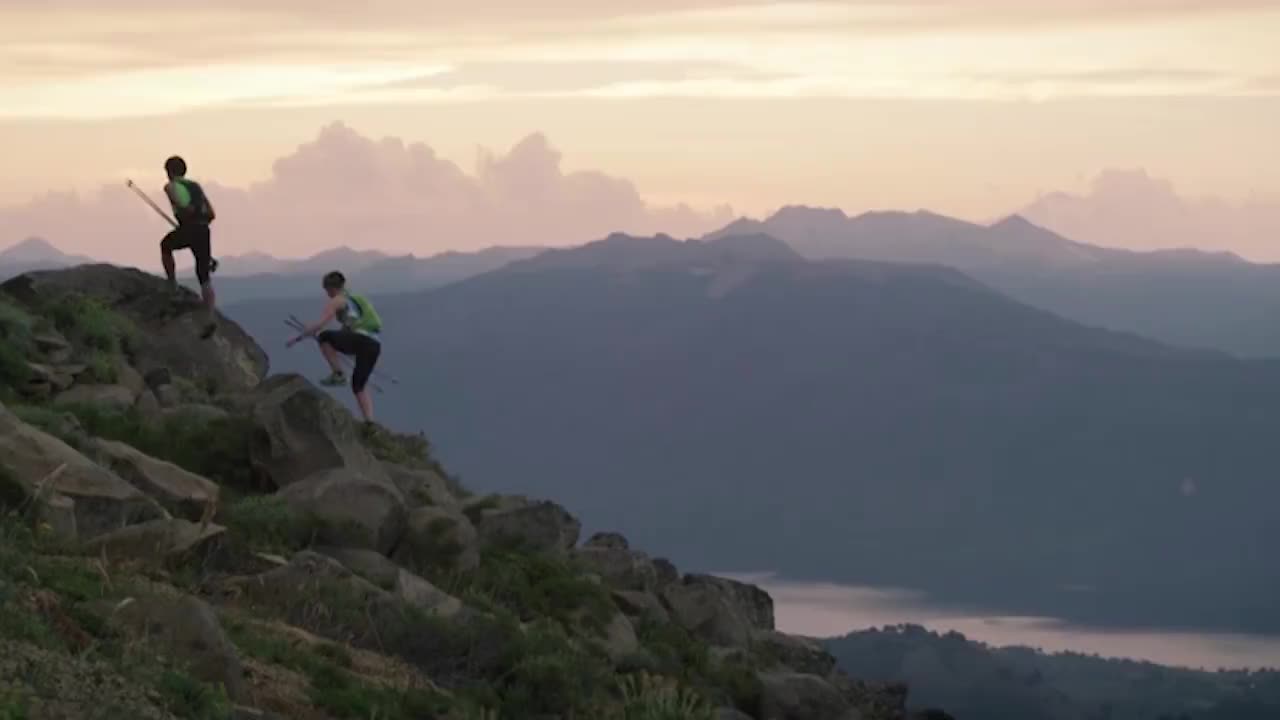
(353, 511)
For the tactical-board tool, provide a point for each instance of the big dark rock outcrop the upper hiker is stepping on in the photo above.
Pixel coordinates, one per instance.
(168, 330)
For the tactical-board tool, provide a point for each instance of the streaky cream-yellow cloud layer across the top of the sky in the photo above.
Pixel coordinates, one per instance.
(77, 60)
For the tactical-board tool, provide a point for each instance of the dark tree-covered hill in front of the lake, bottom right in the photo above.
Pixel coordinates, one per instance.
(988, 683)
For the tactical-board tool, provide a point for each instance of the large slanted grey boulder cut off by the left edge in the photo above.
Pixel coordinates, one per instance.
(102, 500)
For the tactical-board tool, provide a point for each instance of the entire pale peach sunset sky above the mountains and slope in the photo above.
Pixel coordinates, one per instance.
(972, 108)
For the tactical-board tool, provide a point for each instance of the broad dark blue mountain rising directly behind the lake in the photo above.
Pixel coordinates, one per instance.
(848, 421)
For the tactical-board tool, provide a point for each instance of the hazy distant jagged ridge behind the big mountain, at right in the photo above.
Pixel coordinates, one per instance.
(1181, 297)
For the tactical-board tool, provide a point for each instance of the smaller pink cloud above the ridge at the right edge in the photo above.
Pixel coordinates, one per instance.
(1133, 211)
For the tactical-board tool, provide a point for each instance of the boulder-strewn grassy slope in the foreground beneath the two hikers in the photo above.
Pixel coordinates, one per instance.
(186, 536)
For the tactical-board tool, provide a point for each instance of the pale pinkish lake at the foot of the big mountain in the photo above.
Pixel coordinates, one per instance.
(833, 610)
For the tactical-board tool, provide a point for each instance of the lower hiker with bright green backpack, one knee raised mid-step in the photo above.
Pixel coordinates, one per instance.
(358, 338)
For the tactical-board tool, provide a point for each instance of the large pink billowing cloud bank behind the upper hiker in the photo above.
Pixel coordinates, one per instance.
(345, 189)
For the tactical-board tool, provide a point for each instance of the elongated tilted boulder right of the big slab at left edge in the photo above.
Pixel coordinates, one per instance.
(182, 494)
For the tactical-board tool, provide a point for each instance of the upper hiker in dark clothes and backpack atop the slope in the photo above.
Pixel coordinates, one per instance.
(194, 213)
